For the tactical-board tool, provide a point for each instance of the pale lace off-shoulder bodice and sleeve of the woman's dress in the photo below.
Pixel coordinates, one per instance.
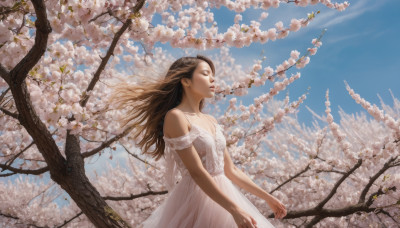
(210, 150)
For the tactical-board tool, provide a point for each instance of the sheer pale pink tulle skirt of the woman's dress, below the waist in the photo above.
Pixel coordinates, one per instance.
(188, 206)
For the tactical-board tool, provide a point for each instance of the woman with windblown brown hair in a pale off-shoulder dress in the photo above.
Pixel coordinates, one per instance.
(193, 144)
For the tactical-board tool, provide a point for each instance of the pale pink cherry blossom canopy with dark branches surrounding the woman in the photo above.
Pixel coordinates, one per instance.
(58, 60)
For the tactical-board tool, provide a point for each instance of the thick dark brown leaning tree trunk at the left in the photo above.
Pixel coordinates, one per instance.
(68, 172)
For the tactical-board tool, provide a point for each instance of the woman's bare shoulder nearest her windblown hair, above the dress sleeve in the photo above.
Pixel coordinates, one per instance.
(175, 124)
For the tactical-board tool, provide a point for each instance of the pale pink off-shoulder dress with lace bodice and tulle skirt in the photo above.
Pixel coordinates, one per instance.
(187, 205)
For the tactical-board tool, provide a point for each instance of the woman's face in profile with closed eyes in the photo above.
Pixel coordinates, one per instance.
(202, 79)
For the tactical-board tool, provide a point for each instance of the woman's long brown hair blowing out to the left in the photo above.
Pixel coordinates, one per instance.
(149, 102)
